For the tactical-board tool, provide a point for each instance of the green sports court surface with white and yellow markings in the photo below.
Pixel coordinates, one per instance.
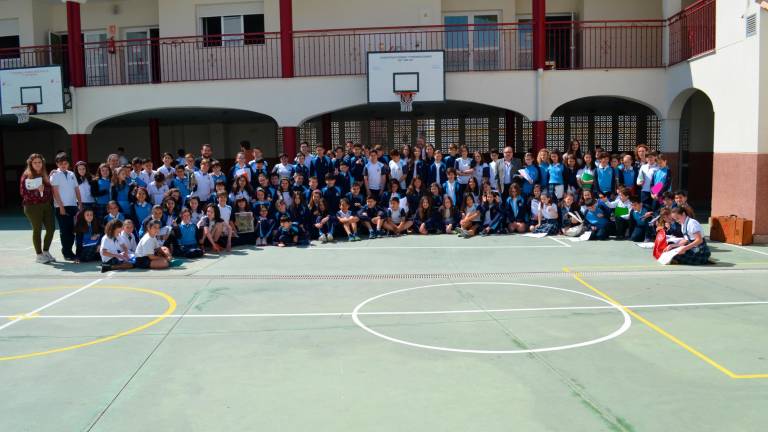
(411, 334)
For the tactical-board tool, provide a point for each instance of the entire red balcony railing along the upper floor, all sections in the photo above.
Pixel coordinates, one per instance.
(330, 52)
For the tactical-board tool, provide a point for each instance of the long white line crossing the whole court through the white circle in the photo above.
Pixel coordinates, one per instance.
(444, 312)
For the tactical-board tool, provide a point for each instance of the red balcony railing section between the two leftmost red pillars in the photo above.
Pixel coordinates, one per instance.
(175, 59)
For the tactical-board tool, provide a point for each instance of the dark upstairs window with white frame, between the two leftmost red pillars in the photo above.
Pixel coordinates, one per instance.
(233, 30)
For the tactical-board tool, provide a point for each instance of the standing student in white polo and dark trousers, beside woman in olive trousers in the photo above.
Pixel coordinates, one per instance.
(66, 198)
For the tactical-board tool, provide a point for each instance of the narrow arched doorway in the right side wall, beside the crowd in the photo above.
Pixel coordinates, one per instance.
(696, 149)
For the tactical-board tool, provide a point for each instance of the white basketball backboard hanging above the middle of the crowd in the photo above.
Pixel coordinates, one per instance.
(419, 71)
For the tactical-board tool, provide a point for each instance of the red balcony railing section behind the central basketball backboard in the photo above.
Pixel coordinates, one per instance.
(479, 47)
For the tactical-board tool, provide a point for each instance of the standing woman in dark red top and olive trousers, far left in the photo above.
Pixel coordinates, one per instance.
(37, 197)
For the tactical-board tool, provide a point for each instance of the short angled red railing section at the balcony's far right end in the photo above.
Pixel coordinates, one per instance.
(692, 31)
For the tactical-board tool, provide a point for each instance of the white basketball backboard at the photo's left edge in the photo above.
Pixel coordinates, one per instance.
(38, 85)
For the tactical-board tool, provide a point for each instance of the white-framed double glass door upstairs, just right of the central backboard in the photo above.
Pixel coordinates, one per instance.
(472, 40)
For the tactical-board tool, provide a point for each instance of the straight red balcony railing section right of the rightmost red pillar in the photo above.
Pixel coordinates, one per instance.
(605, 44)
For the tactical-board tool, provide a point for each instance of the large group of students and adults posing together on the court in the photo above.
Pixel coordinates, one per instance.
(135, 215)
